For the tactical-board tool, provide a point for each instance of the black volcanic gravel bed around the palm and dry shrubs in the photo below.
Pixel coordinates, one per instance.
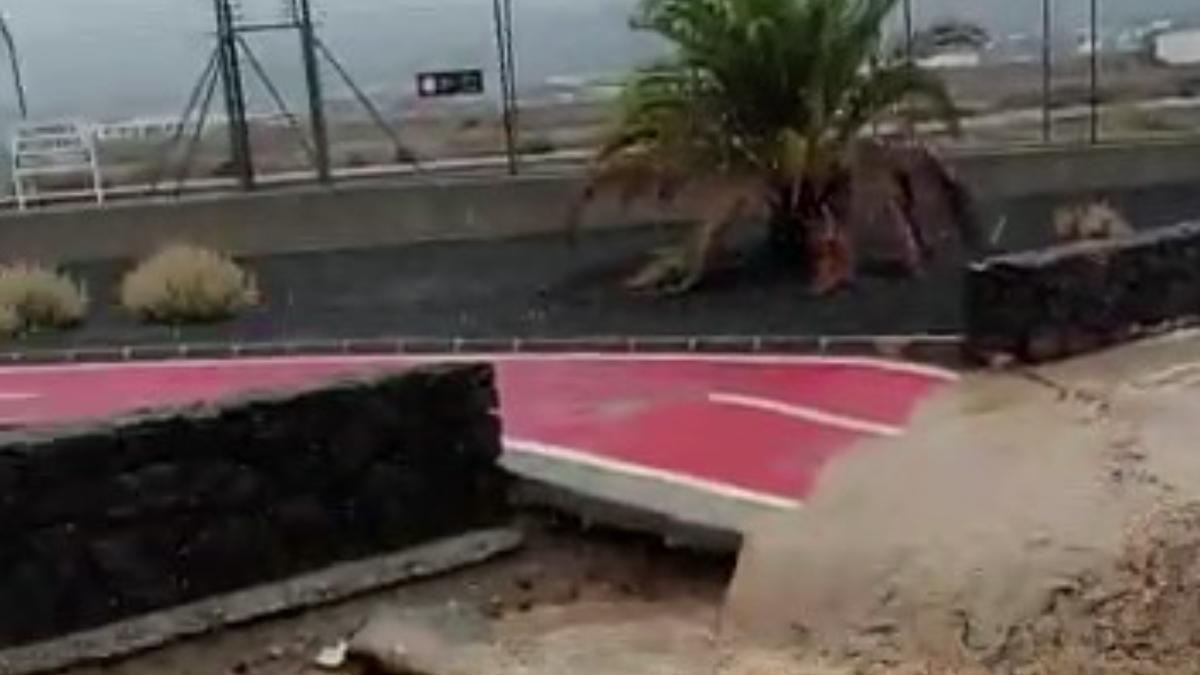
(543, 286)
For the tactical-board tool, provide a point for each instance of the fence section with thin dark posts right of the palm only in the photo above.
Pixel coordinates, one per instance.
(1065, 71)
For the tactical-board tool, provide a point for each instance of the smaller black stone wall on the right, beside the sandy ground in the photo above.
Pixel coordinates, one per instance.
(1075, 298)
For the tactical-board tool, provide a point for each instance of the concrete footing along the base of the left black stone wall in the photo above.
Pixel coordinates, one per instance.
(315, 589)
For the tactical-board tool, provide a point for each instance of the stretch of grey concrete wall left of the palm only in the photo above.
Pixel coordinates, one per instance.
(308, 219)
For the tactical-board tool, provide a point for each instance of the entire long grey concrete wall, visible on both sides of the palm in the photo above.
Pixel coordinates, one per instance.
(400, 212)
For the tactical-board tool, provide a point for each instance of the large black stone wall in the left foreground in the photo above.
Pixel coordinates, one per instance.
(106, 523)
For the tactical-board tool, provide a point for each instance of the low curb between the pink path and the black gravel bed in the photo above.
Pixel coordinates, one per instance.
(939, 350)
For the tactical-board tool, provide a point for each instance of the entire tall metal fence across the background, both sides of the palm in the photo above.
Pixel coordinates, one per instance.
(157, 79)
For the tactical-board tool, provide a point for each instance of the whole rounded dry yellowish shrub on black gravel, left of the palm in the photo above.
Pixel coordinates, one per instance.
(187, 284)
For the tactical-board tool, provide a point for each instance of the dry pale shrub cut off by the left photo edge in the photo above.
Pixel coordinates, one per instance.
(38, 298)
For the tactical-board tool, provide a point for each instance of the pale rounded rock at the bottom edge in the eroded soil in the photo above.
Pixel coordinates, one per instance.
(393, 646)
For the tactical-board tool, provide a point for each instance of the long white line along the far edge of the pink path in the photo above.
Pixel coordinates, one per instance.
(922, 371)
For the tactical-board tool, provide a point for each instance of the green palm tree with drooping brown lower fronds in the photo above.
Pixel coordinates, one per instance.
(758, 116)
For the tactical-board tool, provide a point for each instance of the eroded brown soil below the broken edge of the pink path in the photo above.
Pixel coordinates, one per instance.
(561, 588)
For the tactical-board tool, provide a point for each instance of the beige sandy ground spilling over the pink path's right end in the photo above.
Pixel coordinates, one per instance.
(1045, 522)
